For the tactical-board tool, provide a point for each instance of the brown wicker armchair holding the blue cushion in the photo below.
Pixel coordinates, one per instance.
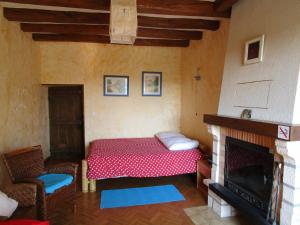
(24, 165)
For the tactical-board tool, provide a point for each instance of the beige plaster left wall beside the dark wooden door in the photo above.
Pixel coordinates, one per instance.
(23, 110)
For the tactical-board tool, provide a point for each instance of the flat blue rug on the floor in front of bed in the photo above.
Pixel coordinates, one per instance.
(139, 196)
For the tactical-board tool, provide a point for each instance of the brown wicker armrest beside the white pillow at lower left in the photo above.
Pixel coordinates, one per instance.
(23, 193)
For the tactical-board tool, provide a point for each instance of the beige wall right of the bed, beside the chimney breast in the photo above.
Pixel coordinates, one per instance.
(202, 97)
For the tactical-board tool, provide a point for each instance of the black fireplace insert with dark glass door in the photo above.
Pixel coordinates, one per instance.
(248, 172)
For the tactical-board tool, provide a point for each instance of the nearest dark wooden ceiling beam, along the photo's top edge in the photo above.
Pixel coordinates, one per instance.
(167, 7)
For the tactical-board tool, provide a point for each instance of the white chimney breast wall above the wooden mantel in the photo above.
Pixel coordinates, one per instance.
(279, 21)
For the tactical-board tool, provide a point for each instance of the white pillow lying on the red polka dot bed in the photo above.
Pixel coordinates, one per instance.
(179, 143)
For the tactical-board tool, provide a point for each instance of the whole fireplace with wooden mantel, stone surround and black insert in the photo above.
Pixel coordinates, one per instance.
(276, 143)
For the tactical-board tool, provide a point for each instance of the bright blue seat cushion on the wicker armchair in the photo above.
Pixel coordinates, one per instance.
(53, 181)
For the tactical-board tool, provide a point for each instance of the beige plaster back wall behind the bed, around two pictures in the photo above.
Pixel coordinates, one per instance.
(115, 117)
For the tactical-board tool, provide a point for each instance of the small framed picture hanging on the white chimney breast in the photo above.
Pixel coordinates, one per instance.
(254, 50)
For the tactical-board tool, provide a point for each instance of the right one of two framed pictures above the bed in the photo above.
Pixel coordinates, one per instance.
(152, 84)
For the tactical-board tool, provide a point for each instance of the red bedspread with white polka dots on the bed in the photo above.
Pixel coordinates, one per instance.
(138, 157)
